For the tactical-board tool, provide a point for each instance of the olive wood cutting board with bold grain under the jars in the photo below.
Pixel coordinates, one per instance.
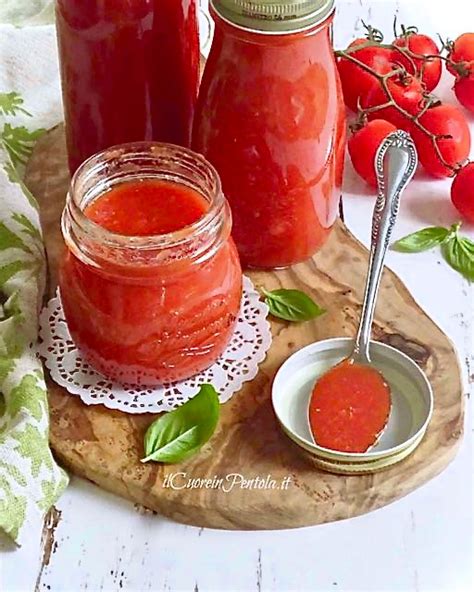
(105, 446)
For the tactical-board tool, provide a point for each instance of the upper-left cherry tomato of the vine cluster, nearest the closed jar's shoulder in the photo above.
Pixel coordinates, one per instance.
(355, 81)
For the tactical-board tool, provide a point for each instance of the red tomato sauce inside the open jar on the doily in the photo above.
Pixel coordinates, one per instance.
(144, 322)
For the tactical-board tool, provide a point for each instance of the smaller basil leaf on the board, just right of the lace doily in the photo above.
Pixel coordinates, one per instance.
(292, 305)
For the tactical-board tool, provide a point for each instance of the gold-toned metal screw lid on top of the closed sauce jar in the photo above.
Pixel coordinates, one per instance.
(274, 16)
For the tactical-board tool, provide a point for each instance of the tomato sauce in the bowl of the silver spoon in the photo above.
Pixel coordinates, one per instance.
(349, 407)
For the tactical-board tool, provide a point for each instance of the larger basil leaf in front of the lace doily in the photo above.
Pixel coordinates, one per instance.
(179, 434)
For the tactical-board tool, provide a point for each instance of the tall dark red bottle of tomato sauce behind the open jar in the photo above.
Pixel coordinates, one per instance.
(129, 70)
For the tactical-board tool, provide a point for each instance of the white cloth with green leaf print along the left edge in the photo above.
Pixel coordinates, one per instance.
(30, 479)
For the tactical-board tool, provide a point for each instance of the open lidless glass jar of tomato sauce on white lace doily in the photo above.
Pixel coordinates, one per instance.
(150, 281)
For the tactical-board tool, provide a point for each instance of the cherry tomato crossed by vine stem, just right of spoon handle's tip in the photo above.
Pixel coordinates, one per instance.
(443, 120)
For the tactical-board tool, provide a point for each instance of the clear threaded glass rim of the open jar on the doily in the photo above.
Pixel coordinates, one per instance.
(175, 153)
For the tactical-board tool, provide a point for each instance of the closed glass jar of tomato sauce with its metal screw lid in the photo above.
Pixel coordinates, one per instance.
(271, 119)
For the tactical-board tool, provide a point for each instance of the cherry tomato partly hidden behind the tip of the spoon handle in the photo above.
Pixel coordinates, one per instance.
(363, 146)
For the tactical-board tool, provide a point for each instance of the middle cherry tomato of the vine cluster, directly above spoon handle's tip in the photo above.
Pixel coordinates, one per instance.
(407, 92)
